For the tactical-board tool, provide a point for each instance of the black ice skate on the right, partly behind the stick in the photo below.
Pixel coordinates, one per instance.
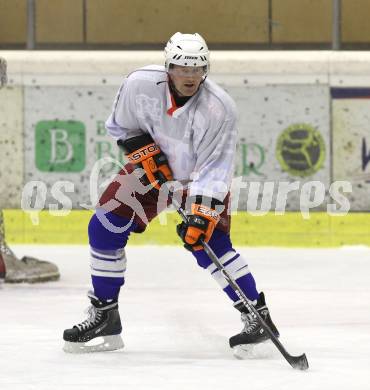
(252, 333)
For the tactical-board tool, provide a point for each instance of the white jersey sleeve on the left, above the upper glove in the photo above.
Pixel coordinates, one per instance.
(122, 122)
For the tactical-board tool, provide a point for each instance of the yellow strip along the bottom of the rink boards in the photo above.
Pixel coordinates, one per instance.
(320, 230)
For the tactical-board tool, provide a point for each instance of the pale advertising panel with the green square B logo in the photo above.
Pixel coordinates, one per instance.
(65, 136)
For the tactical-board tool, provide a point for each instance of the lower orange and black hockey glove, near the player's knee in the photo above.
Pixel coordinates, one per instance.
(200, 226)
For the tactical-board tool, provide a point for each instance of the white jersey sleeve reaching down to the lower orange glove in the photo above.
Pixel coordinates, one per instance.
(215, 159)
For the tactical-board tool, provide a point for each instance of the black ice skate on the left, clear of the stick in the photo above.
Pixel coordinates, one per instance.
(100, 332)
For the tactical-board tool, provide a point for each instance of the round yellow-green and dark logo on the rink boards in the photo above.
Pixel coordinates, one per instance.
(300, 150)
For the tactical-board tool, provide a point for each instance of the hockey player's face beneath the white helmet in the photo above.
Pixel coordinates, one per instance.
(186, 78)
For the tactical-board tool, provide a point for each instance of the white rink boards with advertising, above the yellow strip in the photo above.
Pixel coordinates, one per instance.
(62, 108)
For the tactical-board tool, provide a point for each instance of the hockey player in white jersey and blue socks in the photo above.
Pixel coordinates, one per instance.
(173, 123)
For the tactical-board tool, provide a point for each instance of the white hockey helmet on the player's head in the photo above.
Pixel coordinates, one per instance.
(187, 50)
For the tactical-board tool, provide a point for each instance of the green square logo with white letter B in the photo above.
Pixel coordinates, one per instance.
(60, 146)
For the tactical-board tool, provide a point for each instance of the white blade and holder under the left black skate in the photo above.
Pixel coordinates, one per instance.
(99, 344)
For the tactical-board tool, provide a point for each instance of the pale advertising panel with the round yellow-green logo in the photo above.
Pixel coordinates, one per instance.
(284, 137)
